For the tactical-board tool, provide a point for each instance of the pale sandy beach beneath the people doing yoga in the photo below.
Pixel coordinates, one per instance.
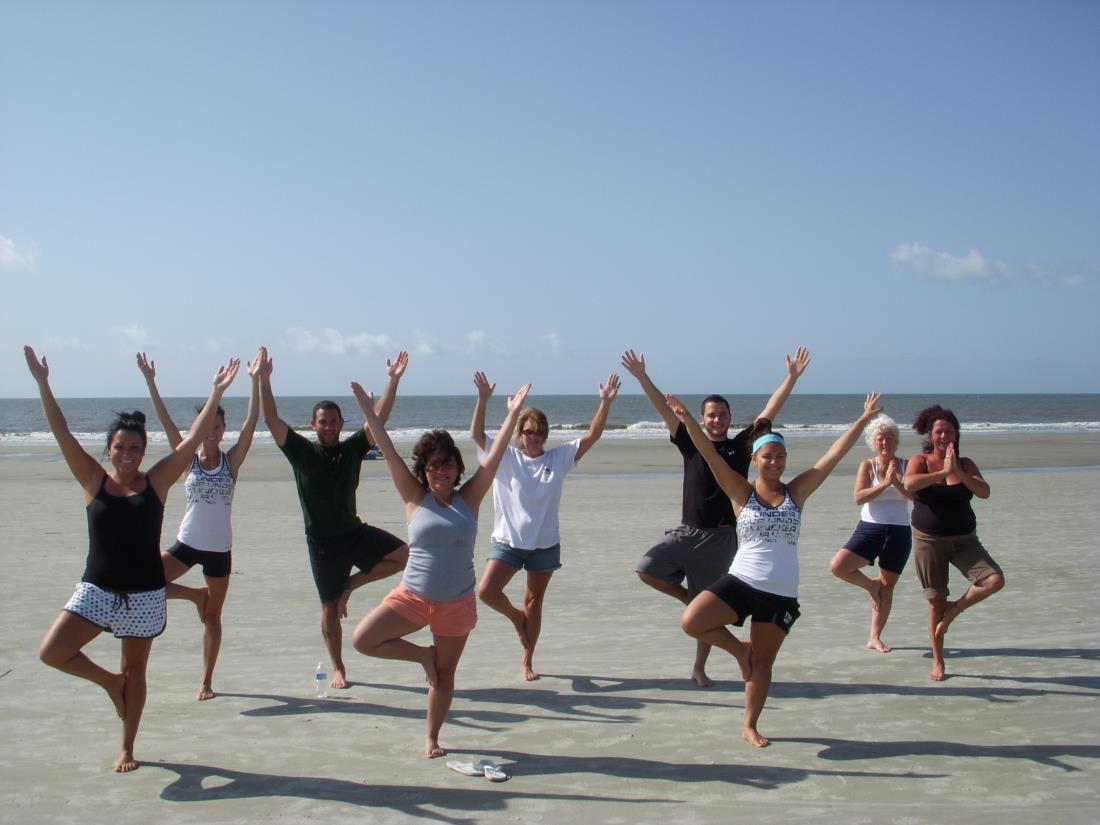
(614, 732)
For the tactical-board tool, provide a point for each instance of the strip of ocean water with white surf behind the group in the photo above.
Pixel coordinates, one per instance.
(632, 417)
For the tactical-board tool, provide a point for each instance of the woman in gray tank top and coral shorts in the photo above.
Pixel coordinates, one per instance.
(438, 586)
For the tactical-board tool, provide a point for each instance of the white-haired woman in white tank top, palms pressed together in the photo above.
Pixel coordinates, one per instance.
(884, 532)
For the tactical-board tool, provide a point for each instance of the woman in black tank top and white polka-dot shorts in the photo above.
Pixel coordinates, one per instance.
(125, 512)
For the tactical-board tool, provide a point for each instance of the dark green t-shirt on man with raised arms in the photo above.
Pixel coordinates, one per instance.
(327, 479)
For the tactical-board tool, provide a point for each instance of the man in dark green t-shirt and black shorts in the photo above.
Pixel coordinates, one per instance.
(326, 474)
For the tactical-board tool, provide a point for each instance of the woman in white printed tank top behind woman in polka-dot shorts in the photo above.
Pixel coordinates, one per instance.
(205, 536)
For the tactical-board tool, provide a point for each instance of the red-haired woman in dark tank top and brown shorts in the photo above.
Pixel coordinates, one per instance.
(943, 483)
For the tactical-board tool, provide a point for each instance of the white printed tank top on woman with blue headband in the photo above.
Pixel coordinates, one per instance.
(768, 547)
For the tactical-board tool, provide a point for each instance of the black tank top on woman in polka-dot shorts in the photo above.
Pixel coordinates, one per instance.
(125, 542)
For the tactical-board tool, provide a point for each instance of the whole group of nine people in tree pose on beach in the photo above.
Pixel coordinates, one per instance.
(733, 557)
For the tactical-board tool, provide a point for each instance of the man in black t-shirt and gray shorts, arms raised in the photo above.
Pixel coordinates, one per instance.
(702, 548)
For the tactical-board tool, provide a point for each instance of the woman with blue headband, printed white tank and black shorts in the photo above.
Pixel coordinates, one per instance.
(764, 579)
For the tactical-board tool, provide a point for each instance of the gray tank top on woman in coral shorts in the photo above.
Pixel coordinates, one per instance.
(442, 551)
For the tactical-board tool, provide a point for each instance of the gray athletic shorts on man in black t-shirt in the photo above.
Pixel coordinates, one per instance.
(700, 555)
